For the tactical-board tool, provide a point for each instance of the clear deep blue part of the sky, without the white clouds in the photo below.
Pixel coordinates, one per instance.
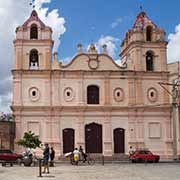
(88, 20)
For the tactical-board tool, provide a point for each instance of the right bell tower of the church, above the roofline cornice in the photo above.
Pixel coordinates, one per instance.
(144, 46)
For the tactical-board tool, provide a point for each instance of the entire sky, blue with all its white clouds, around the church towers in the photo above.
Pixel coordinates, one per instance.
(82, 21)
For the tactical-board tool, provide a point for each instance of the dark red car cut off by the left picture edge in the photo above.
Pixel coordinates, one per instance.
(7, 155)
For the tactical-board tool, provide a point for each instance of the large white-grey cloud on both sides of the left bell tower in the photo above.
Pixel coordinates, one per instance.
(13, 14)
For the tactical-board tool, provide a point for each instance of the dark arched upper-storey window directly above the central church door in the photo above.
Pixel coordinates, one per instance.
(92, 95)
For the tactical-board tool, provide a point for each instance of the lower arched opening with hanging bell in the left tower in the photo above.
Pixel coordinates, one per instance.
(33, 59)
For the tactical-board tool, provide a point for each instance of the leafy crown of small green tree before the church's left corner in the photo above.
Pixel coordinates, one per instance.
(30, 140)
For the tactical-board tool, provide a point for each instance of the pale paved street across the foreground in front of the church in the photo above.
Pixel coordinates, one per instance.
(124, 171)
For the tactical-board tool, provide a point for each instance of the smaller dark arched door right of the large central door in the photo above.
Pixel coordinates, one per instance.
(119, 140)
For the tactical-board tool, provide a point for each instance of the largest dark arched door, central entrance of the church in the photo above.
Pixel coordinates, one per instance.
(93, 138)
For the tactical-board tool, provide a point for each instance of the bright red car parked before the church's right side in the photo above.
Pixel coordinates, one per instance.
(144, 156)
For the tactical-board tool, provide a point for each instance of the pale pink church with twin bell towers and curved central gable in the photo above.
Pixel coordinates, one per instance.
(92, 101)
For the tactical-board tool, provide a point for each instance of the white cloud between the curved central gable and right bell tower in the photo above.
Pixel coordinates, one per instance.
(111, 43)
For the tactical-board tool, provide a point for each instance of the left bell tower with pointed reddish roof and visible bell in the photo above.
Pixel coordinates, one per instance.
(33, 45)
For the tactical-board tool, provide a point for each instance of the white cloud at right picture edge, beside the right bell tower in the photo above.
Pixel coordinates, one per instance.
(173, 51)
